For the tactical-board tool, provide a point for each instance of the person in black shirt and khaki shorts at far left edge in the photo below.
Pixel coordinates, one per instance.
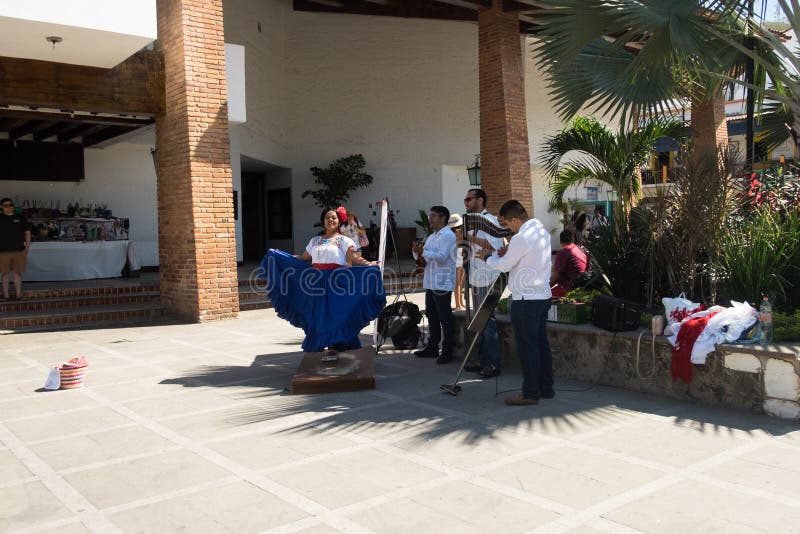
(15, 241)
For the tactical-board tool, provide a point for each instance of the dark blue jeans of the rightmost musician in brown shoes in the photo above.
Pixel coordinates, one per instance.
(529, 318)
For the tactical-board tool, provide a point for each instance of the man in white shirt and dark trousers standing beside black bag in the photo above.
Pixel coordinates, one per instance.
(439, 256)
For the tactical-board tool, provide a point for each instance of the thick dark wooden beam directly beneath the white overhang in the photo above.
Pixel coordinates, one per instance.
(135, 86)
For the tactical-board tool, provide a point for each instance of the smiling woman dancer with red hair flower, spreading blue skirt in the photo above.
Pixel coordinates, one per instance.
(331, 299)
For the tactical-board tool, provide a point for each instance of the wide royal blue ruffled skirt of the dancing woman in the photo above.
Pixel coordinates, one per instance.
(331, 306)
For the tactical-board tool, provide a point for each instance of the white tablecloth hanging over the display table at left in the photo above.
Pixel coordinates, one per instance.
(50, 261)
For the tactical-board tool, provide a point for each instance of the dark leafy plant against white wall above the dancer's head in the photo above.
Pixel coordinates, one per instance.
(337, 180)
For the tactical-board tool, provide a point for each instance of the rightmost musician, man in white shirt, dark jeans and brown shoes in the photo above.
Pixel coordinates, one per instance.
(527, 260)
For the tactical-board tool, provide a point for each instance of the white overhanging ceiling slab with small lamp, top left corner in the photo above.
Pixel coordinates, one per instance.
(97, 33)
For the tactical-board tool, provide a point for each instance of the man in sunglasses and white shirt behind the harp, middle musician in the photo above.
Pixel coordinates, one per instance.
(481, 278)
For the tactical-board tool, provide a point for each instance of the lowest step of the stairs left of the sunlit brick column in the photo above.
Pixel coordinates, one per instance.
(89, 315)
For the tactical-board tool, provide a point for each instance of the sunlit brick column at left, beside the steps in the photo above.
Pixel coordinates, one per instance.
(196, 235)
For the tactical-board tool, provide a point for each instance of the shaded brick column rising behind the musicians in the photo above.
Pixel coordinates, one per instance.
(505, 156)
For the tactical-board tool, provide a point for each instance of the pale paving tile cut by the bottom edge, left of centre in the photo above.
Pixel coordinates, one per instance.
(212, 510)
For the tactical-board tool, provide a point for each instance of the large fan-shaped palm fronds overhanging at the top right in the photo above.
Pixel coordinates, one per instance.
(624, 57)
